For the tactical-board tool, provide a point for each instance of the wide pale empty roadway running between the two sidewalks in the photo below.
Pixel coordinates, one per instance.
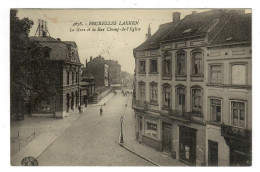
(92, 140)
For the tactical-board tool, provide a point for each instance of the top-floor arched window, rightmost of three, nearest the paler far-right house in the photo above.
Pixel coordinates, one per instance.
(197, 66)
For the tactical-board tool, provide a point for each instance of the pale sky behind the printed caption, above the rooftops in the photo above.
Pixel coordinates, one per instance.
(109, 44)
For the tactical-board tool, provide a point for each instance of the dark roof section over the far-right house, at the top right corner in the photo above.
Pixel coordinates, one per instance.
(238, 29)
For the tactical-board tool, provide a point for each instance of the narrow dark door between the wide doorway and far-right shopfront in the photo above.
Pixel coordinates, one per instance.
(212, 153)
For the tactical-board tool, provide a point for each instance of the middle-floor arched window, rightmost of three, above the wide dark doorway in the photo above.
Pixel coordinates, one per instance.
(197, 101)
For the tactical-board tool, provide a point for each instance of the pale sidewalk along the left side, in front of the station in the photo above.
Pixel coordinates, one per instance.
(47, 130)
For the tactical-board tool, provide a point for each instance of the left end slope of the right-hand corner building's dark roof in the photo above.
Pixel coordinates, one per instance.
(154, 41)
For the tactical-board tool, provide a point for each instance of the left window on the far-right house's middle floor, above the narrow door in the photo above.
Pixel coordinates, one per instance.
(215, 110)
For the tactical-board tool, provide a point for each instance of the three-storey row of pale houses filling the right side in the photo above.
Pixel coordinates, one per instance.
(193, 88)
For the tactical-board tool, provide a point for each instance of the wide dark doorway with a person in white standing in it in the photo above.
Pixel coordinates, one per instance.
(187, 145)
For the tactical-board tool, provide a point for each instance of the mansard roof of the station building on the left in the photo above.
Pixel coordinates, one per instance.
(59, 49)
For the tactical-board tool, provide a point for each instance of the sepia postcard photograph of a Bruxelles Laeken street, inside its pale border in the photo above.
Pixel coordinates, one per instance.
(131, 87)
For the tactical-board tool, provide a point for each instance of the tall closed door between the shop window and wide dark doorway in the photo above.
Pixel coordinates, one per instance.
(166, 137)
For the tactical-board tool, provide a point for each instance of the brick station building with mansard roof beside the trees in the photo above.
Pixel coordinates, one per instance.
(65, 66)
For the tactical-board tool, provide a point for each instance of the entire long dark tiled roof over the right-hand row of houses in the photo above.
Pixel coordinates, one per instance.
(219, 25)
